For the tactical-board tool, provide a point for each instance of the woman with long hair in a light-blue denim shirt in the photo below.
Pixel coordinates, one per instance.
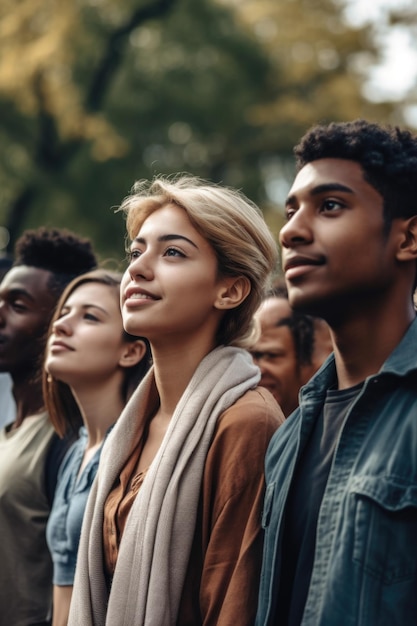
(92, 366)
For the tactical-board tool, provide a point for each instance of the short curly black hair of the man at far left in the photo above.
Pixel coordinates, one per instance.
(59, 251)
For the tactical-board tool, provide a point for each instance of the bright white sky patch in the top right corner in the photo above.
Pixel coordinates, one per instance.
(398, 71)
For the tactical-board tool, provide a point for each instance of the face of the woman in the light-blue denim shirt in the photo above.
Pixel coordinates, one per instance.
(86, 343)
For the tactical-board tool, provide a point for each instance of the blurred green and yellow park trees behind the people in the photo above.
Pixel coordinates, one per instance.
(95, 94)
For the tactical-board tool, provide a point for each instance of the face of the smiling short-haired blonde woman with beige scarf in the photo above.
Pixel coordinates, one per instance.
(171, 287)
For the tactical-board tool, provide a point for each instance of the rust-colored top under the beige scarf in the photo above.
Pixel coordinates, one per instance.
(222, 579)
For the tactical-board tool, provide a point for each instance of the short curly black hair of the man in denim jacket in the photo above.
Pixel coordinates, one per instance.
(387, 156)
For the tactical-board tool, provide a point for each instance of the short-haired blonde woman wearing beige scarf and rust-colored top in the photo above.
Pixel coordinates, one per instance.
(172, 532)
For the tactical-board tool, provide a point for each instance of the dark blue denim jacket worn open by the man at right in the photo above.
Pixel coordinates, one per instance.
(365, 562)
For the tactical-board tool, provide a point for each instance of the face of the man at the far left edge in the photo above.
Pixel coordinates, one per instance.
(26, 306)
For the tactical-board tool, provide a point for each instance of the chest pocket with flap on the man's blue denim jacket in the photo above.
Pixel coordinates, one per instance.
(385, 530)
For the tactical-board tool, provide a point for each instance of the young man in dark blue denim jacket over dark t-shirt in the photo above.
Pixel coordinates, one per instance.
(340, 512)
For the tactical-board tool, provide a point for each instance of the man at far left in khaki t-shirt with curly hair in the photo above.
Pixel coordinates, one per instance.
(44, 263)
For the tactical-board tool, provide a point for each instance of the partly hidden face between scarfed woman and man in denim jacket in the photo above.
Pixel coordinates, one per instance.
(275, 354)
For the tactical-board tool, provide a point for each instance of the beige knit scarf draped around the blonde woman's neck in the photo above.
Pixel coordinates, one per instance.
(155, 548)
